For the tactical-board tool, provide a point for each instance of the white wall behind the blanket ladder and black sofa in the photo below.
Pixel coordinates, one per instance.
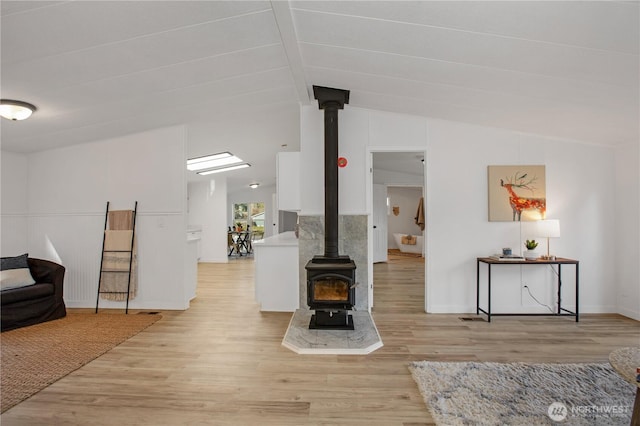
(67, 193)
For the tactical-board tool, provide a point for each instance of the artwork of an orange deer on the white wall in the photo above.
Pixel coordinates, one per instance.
(516, 193)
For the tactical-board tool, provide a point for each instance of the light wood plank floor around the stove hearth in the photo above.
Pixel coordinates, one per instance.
(221, 361)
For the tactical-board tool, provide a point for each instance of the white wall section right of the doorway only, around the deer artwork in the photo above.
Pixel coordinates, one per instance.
(579, 178)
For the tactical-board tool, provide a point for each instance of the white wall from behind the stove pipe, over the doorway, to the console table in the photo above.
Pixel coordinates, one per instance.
(580, 178)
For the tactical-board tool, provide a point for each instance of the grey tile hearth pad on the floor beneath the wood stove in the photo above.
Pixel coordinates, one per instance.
(361, 341)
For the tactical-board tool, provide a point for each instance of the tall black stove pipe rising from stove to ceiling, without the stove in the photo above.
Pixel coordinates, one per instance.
(330, 100)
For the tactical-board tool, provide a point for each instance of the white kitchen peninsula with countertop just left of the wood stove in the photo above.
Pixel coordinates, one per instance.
(276, 273)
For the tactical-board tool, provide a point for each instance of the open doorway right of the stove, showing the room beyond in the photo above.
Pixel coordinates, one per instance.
(397, 185)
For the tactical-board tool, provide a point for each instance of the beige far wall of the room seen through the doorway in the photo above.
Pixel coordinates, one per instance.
(406, 199)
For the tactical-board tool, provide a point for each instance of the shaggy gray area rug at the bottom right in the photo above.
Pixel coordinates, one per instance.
(485, 393)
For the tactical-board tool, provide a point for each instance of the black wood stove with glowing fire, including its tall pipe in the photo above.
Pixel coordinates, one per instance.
(331, 277)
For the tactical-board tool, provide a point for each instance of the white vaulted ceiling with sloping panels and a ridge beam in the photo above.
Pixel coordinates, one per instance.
(236, 71)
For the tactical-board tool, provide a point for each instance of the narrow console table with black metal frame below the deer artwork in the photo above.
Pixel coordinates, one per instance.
(490, 262)
